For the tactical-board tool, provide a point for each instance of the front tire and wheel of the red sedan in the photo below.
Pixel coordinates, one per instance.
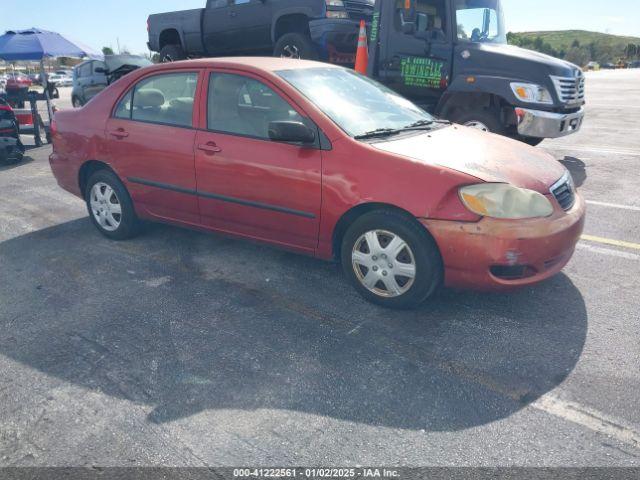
(420, 256)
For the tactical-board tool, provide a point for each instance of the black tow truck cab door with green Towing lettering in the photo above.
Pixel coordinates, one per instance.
(416, 49)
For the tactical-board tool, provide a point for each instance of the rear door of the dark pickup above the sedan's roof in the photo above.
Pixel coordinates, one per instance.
(250, 25)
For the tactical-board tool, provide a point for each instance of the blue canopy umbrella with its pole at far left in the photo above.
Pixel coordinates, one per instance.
(36, 44)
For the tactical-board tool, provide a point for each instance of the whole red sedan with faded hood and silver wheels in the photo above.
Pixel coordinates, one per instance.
(320, 160)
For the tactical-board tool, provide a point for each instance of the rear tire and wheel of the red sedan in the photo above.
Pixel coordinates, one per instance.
(114, 225)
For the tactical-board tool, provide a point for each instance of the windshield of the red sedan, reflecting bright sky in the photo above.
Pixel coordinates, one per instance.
(355, 103)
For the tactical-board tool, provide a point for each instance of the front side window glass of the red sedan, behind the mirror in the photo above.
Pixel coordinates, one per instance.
(244, 106)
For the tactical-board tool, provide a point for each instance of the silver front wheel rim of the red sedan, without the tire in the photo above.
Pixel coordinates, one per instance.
(384, 263)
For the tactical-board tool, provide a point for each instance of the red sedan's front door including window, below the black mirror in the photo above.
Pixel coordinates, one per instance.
(247, 184)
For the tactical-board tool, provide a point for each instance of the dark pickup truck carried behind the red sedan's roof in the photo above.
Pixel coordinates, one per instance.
(318, 29)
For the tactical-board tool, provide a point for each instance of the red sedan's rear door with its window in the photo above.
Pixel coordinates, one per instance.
(150, 142)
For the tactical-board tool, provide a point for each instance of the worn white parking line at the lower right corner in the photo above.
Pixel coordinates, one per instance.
(589, 418)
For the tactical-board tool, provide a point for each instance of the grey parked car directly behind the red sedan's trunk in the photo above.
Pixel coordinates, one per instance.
(93, 76)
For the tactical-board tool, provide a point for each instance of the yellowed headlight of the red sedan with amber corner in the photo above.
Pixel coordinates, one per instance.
(500, 200)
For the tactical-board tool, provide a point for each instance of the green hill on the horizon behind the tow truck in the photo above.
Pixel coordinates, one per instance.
(579, 46)
